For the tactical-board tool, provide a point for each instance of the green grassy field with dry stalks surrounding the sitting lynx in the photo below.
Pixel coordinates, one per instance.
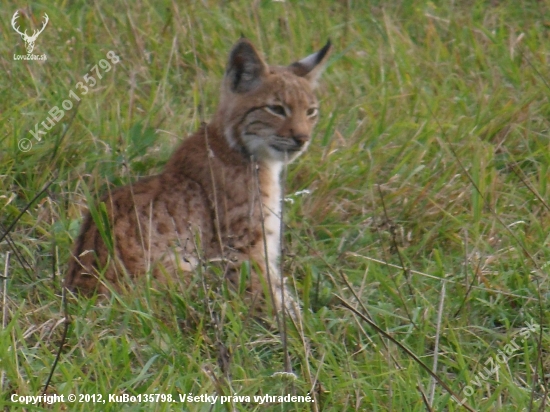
(427, 210)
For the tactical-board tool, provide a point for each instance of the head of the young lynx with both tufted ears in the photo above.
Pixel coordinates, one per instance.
(268, 112)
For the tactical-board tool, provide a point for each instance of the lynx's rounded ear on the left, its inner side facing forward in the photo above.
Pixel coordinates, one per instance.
(245, 67)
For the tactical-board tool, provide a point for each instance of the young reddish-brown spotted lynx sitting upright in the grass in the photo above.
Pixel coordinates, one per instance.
(219, 195)
